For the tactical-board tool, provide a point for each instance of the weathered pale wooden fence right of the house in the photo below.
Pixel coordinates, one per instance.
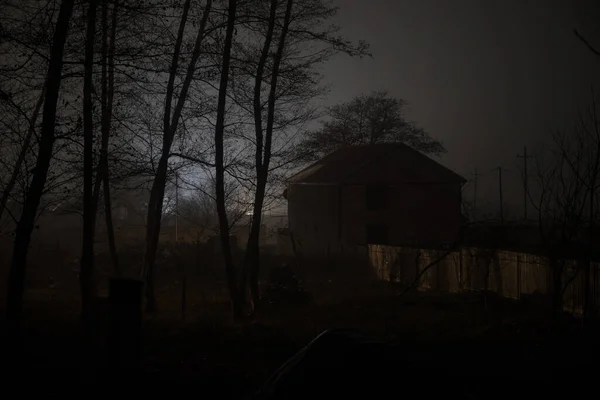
(508, 273)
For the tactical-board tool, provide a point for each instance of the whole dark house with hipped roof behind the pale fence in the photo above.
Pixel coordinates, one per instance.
(387, 194)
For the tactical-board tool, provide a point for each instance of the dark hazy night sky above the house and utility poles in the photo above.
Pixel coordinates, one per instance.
(487, 77)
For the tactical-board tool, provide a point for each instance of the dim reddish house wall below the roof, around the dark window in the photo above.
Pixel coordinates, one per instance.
(325, 218)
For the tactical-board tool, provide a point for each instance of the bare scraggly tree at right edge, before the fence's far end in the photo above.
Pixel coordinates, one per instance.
(567, 203)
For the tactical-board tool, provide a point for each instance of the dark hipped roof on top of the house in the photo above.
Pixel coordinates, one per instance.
(378, 163)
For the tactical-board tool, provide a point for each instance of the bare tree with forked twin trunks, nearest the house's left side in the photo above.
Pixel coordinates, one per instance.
(289, 88)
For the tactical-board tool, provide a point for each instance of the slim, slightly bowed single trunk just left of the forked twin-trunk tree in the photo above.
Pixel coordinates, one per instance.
(236, 298)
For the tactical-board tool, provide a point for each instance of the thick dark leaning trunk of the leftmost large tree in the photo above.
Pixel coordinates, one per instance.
(16, 280)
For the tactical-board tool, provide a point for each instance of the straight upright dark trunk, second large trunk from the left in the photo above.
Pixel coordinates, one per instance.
(89, 202)
